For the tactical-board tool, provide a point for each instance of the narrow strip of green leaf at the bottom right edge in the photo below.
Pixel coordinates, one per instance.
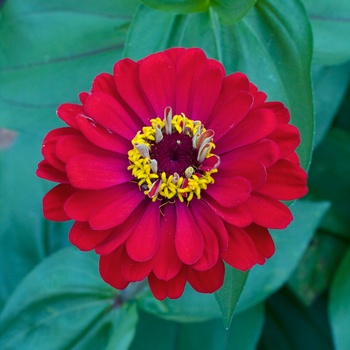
(339, 305)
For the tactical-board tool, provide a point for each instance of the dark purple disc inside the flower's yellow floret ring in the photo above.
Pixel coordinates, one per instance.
(174, 154)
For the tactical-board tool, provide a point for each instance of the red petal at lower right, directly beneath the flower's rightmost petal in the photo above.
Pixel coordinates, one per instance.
(269, 212)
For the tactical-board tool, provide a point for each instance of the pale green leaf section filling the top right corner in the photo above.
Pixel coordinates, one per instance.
(331, 30)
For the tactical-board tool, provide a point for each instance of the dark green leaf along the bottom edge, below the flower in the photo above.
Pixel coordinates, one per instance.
(157, 334)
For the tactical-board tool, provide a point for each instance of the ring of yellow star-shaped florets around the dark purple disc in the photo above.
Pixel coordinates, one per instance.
(169, 186)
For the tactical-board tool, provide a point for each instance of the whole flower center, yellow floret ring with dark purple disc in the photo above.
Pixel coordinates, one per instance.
(172, 158)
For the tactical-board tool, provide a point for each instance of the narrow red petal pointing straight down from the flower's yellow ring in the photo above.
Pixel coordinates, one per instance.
(167, 263)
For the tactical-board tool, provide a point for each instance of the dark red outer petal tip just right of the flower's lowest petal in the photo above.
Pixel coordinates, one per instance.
(207, 281)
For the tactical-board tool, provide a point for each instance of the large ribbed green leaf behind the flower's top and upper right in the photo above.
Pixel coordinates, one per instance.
(270, 45)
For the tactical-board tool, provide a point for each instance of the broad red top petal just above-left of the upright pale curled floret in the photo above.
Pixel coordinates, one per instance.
(157, 79)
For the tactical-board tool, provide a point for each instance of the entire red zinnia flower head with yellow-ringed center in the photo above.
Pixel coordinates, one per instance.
(169, 168)
